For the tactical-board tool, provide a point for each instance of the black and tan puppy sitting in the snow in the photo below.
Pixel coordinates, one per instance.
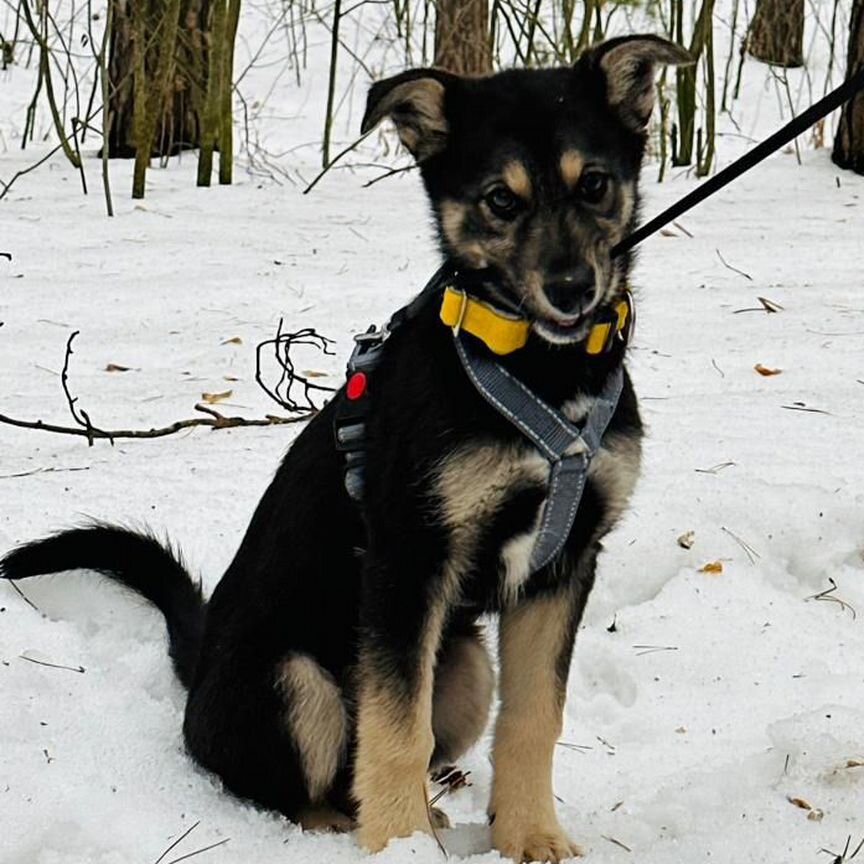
(340, 657)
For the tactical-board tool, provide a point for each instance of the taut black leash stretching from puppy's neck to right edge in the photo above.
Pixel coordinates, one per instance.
(782, 136)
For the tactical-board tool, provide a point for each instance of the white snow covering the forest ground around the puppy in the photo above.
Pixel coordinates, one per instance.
(689, 725)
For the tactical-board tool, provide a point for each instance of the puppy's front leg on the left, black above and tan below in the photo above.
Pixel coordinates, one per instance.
(403, 616)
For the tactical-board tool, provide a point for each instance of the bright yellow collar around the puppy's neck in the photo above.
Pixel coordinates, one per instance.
(504, 333)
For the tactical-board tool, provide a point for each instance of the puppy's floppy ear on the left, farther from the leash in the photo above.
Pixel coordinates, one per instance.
(414, 101)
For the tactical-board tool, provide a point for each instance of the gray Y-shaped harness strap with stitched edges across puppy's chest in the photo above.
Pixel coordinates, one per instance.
(567, 447)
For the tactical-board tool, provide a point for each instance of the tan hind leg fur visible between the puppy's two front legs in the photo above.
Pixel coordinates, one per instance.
(464, 682)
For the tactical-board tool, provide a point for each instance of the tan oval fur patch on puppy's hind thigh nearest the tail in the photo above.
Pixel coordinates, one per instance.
(317, 719)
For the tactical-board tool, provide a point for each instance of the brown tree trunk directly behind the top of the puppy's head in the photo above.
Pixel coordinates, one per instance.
(462, 36)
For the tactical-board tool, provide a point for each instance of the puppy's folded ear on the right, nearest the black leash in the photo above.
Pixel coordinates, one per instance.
(628, 65)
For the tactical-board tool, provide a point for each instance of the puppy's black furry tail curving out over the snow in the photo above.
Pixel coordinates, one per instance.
(138, 561)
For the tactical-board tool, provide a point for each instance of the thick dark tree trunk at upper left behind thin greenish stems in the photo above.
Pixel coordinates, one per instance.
(179, 107)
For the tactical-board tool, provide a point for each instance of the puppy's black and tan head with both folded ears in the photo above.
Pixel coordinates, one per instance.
(532, 174)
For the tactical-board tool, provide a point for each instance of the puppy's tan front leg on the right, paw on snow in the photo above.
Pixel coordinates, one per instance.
(535, 643)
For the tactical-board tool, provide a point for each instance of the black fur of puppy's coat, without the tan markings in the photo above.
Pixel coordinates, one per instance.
(313, 576)
